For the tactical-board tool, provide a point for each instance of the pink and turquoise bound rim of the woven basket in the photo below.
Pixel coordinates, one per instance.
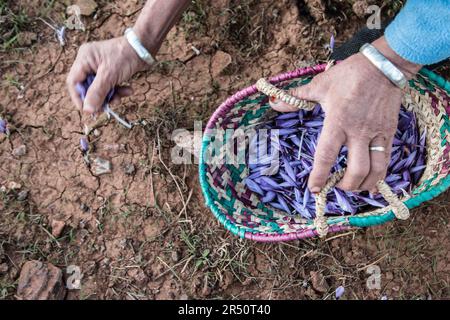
(341, 223)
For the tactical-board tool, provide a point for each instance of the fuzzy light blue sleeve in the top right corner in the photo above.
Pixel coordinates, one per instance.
(420, 33)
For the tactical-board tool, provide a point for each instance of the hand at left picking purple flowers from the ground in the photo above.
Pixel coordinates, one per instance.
(113, 61)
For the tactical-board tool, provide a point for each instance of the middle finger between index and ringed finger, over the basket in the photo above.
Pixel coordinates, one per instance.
(358, 165)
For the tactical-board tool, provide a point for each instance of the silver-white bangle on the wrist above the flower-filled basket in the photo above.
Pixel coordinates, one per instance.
(384, 65)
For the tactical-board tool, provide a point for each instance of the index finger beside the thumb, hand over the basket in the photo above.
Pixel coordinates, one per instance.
(328, 148)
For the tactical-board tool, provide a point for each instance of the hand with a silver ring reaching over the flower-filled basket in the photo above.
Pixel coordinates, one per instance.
(361, 110)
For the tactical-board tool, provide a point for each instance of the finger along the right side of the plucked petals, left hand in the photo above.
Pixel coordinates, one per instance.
(97, 92)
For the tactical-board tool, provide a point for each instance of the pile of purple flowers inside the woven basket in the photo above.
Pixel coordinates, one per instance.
(285, 187)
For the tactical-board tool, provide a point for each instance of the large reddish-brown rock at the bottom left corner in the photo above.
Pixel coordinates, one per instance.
(40, 281)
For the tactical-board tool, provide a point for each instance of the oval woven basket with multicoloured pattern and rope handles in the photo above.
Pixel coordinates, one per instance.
(241, 211)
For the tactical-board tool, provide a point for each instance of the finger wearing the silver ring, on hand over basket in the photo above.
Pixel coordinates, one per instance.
(378, 163)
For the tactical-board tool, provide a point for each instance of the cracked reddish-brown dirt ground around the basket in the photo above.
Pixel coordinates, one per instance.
(126, 232)
